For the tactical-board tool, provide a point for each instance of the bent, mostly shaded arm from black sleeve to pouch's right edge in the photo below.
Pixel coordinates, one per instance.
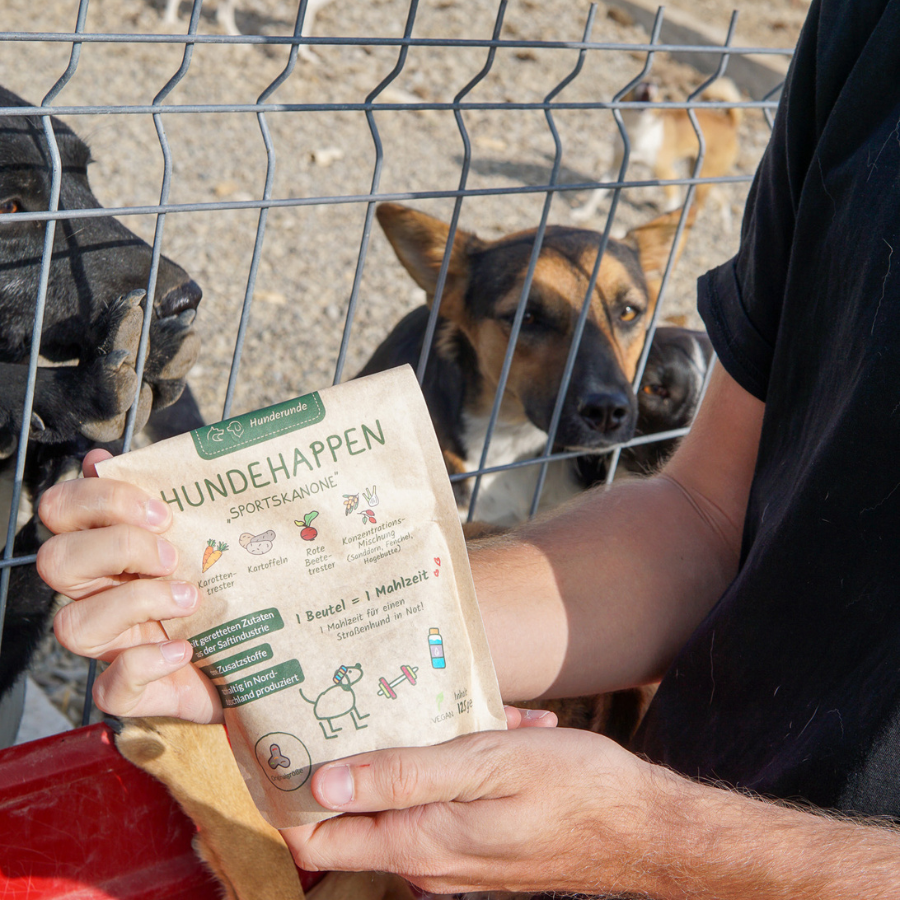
(602, 595)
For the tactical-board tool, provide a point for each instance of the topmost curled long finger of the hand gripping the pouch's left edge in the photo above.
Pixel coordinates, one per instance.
(97, 502)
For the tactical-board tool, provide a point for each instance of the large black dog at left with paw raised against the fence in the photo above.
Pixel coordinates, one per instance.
(98, 276)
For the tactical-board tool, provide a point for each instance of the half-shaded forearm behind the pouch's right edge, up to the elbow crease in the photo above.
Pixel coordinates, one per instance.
(601, 597)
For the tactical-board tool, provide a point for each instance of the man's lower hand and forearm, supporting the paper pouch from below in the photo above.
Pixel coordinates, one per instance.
(547, 809)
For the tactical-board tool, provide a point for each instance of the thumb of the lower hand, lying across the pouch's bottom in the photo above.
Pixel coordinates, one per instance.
(413, 776)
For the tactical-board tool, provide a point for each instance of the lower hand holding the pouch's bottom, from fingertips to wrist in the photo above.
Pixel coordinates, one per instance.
(534, 809)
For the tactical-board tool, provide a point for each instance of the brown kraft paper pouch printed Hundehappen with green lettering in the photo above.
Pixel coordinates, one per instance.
(337, 610)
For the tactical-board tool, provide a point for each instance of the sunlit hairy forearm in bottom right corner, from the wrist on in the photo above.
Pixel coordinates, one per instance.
(704, 842)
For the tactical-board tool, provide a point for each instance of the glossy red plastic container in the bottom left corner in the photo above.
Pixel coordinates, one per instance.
(77, 820)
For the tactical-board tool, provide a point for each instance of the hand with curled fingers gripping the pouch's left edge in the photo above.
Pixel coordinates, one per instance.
(107, 556)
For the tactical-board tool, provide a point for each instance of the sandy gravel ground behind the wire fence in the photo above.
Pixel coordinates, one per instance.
(310, 252)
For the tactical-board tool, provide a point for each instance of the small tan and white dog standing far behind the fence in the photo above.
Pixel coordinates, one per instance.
(665, 142)
